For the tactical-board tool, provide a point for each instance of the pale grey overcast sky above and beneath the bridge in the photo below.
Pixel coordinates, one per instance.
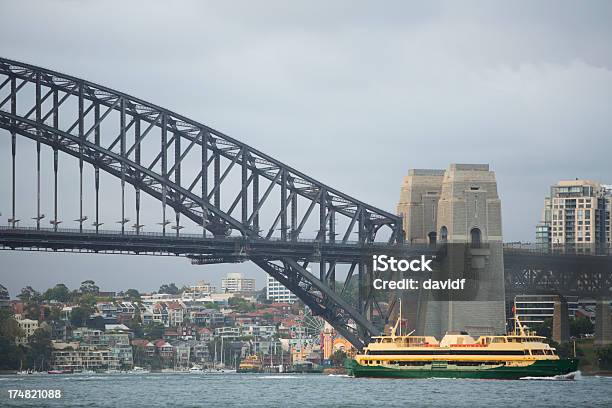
(352, 93)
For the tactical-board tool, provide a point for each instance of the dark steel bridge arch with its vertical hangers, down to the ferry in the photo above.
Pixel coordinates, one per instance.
(197, 194)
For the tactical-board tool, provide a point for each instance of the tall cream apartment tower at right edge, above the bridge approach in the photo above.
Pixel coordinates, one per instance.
(576, 213)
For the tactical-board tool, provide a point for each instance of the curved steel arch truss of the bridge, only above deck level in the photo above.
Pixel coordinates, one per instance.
(254, 163)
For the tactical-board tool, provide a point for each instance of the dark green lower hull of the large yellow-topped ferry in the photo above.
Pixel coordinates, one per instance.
(540, 368)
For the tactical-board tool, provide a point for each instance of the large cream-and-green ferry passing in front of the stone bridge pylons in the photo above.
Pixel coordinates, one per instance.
(458, 355)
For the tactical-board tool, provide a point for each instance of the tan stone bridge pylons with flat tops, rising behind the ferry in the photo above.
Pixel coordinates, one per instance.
(458, 207)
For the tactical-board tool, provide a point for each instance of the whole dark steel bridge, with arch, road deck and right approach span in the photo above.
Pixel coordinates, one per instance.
(215, 200)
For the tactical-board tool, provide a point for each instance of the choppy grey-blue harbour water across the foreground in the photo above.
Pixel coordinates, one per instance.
(302, 390)
